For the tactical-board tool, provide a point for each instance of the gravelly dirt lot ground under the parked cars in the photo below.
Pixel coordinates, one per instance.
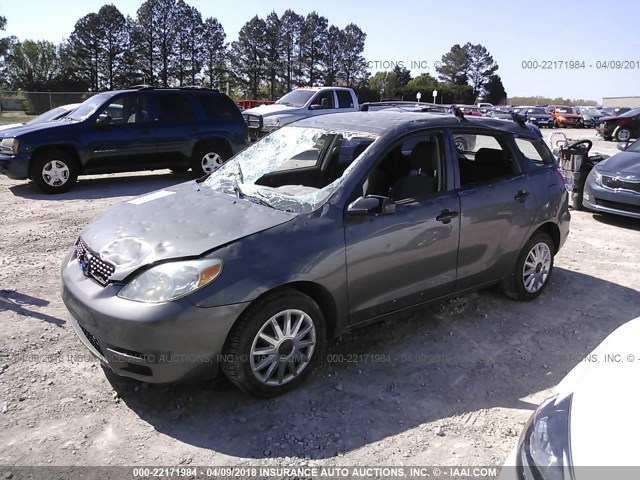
(461, 378)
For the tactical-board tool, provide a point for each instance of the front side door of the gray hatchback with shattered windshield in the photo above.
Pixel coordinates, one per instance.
(406, 257)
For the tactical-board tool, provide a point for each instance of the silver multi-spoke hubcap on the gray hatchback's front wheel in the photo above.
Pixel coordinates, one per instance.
(283, 347)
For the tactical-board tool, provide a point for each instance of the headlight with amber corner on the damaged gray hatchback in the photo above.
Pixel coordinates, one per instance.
(170, 281)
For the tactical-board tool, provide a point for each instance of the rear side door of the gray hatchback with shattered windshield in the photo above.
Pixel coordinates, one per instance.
(497, 207)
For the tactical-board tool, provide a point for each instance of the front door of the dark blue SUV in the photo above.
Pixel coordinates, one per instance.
(122, 138)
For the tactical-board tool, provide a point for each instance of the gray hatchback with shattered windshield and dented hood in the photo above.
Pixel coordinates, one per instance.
(320, 227)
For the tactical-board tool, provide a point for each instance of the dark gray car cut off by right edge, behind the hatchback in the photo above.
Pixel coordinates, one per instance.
(613, 186)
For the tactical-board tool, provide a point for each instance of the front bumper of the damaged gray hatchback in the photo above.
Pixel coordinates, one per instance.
(155, 343)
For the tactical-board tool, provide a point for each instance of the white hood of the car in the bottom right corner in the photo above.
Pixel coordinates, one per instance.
(604, 410)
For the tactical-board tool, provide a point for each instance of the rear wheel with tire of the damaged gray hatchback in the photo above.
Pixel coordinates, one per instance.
(533, 269)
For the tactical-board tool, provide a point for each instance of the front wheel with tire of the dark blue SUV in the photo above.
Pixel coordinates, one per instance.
(64, 165)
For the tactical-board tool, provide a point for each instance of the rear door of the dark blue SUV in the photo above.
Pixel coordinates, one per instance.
(175, 125)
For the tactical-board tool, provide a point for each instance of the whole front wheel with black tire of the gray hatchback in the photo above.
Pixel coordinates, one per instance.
(276, 344)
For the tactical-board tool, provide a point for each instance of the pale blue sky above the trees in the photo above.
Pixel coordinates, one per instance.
(417, 33)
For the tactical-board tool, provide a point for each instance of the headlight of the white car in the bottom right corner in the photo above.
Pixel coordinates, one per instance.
(545, 444)
